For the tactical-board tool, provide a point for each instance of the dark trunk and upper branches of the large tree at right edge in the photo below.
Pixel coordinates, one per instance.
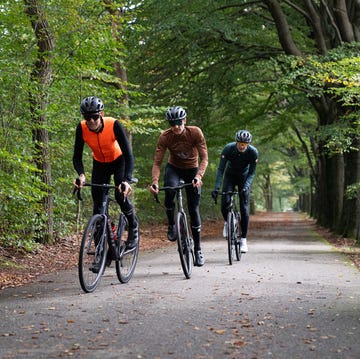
(332, 25)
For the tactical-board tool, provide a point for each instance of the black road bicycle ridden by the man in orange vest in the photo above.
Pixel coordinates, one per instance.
(102, 242)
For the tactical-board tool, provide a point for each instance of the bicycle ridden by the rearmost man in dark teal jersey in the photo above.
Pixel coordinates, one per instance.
(233, 234)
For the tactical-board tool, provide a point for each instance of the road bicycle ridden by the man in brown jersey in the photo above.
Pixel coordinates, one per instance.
(184, 240)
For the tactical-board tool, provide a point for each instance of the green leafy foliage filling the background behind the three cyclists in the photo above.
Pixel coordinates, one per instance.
(222, 61)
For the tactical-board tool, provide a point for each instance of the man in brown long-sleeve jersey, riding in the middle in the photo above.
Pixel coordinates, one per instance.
(186, 144)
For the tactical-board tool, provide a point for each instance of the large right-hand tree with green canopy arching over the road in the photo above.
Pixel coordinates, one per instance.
(249, 58)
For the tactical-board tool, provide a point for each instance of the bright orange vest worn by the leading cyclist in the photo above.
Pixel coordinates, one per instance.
(104, 145)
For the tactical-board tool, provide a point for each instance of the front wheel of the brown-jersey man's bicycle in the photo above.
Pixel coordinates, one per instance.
(184, 245)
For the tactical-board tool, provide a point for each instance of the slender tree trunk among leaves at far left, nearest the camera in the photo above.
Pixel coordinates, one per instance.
(40, 77)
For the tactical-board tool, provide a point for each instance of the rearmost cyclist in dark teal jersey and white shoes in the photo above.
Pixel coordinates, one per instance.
(237, 168)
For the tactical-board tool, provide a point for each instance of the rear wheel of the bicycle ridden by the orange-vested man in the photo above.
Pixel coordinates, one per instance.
(125, 266)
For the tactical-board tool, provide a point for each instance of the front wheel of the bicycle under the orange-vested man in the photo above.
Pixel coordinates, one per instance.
(92, 255)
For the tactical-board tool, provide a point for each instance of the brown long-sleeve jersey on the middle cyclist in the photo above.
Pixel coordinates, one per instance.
(184, 151)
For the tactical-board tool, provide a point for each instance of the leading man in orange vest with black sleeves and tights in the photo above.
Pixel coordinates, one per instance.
(112, 155)
